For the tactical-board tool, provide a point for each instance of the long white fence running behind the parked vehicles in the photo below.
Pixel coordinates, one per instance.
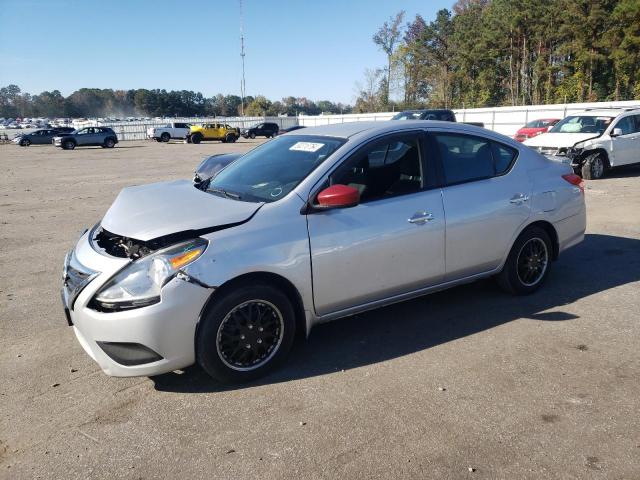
(505, 120)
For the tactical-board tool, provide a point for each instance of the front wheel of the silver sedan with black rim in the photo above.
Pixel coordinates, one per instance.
(218, 342)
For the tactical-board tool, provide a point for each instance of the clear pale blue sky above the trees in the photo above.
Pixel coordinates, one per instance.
(317, 49)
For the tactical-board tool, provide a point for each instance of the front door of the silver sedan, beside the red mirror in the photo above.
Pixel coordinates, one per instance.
(392, 242)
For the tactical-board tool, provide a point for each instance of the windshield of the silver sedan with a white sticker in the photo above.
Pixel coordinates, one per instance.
(272, 170)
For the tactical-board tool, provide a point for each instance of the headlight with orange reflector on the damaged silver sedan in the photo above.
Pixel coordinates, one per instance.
(139, 283)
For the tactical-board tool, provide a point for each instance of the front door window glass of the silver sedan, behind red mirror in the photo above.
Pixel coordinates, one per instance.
(384, 170)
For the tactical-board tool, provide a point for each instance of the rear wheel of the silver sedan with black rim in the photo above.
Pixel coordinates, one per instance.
(528, 263)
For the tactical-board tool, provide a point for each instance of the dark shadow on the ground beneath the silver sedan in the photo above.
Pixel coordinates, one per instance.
(598, 264)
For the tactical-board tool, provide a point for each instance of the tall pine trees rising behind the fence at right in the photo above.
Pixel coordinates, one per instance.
(507, 52)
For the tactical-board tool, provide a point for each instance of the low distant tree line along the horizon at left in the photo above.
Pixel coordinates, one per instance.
(95, 102)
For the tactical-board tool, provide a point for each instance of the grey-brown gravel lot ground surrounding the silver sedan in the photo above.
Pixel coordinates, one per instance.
(468, 383)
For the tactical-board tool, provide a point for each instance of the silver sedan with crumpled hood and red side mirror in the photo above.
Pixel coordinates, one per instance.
(223, 276)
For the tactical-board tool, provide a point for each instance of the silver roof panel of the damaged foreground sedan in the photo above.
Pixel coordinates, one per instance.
(351, 129)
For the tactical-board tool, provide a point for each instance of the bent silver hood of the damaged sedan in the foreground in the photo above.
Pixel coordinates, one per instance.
(150, 211)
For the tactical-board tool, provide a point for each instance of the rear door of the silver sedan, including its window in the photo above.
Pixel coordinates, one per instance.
(486, 200)
